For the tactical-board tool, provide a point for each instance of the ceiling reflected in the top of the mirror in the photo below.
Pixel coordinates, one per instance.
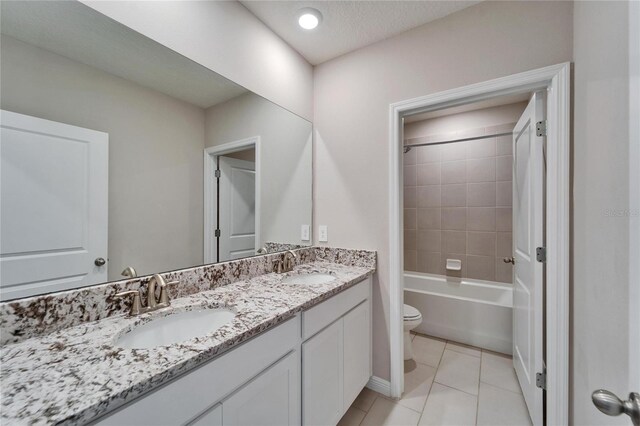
(74, 30)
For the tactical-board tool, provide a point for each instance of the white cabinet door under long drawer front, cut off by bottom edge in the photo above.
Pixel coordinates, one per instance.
(272, 398)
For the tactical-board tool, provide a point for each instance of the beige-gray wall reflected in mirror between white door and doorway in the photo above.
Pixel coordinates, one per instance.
(155, 152)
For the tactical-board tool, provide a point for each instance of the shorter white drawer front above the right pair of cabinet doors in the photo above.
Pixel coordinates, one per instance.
(320, 316)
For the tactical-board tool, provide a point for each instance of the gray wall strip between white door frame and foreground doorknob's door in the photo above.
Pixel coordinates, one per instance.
(600, 243)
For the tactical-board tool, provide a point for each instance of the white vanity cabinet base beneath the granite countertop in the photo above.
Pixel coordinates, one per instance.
(315, 364)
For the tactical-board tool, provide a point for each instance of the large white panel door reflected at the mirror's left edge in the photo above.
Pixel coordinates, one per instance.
(53, 206)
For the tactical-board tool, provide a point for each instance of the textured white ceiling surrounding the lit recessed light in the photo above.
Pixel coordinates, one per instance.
(347, 25)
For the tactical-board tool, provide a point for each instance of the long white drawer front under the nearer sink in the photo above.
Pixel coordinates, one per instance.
(191, 394)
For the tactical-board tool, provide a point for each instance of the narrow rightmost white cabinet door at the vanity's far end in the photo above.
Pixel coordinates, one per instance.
(357, 352)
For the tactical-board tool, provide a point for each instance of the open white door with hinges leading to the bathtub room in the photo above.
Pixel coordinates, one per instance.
(528, 222)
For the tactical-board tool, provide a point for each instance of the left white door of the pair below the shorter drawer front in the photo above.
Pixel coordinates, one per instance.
(322, 401)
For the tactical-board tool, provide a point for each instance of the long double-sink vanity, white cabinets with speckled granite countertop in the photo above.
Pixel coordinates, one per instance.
(297, 351)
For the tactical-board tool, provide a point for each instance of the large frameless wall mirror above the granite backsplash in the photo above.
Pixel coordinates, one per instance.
(67, 63)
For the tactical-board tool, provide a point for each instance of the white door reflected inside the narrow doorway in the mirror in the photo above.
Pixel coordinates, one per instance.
(237, 208)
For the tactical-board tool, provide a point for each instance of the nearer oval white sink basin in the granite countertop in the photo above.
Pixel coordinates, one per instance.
(175, 328)
